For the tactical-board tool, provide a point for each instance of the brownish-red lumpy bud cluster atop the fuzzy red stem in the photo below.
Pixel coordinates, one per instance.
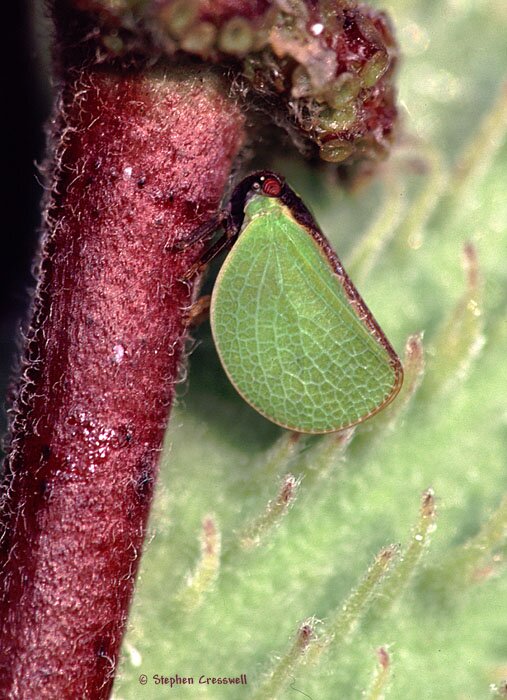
(321, 69)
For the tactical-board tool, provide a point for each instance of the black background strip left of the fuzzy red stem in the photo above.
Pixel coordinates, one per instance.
(26, 107)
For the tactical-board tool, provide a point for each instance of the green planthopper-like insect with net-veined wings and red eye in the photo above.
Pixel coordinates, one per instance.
(292, 332)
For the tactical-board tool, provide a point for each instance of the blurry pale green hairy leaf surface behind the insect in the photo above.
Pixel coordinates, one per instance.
(440, 610)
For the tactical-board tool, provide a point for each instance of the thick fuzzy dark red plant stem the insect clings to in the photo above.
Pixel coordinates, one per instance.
(141, 160)
